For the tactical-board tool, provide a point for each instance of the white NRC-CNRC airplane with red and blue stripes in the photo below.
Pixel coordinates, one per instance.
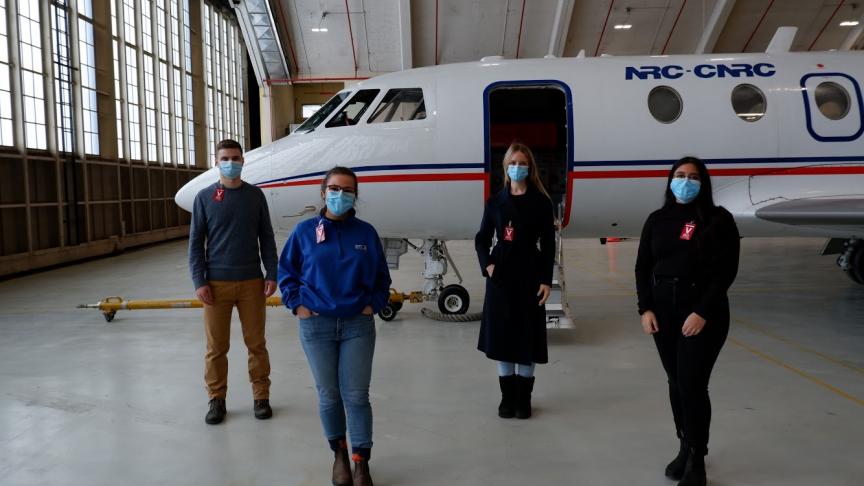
(781, 134)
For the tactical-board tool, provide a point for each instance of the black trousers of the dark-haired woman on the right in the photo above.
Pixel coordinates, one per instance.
(688, 361)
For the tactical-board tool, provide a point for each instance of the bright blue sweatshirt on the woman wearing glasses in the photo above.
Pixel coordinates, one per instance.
(339, 276)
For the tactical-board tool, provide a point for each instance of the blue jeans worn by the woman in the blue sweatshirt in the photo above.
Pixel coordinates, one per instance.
(340, 353)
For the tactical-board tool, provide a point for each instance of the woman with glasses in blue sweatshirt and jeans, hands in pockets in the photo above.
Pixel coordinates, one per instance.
(333, 275)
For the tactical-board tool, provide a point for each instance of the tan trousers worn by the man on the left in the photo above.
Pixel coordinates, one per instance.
(248, 296)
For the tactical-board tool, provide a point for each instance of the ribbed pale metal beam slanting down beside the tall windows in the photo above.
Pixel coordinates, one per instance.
(262, 42)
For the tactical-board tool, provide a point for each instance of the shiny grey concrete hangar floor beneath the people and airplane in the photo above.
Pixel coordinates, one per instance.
(87, 402)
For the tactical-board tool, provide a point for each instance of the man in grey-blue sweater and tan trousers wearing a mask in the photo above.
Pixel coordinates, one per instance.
(231, 237)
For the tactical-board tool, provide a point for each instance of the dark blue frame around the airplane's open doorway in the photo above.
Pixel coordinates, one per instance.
(569, 152)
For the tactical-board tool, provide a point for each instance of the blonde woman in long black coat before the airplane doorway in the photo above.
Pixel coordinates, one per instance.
(518, 275)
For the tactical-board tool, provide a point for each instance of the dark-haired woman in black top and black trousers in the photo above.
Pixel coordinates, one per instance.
(688, 258)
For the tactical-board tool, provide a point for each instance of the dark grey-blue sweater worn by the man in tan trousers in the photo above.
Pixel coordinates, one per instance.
(226, 236)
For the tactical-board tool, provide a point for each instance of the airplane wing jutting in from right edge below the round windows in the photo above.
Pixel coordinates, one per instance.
(846, 212)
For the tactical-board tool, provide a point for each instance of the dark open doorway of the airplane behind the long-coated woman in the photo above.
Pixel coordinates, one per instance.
(535, 115)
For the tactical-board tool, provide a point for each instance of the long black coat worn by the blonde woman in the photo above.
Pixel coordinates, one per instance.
(513, 327)
